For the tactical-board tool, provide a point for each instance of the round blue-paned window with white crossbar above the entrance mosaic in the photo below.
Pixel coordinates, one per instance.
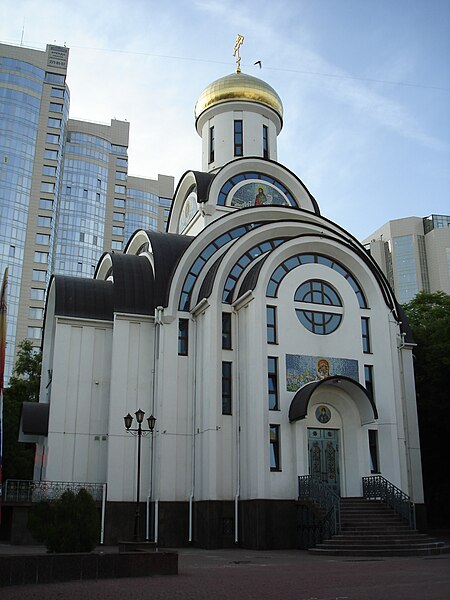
(308, 297)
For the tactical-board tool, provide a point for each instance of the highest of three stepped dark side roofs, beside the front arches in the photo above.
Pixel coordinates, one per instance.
(167, 249)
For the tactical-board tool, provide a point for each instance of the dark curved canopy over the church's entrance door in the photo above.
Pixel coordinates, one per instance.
(366, 406)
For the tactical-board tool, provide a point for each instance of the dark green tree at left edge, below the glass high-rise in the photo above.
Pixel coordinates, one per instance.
(18, 457)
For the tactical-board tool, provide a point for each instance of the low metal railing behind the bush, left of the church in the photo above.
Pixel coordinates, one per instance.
(26, 491)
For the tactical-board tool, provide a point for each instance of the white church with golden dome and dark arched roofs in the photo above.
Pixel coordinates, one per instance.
(262, 337)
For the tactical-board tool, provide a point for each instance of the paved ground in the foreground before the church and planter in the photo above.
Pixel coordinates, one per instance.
(251, 575)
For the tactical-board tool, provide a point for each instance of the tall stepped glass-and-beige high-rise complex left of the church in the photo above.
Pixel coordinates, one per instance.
(65, 194)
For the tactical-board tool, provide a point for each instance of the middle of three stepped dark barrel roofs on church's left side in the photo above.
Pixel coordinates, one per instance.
(133, 284)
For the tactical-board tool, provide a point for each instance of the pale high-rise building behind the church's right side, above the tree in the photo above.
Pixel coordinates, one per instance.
(414, 254)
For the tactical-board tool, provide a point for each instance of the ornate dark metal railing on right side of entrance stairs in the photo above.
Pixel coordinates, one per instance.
(377, 487)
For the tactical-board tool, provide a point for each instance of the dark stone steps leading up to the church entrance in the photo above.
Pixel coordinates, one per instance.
(370, 528)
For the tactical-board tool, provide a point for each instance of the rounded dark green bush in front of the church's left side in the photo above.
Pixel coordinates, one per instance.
(71, 524)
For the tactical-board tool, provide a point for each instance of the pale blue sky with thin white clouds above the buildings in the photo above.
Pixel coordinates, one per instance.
(365, 86)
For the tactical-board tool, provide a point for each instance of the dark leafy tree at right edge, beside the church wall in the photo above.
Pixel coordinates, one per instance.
(429, 318)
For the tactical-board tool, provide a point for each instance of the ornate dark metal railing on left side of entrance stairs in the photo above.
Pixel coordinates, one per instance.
(313, 490)
